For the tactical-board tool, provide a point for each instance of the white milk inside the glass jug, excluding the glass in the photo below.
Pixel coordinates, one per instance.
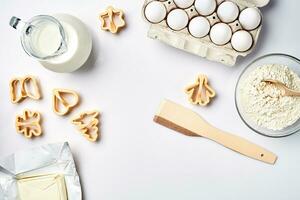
(78, 44)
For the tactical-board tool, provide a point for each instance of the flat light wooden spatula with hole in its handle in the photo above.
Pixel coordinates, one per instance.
(186, 121)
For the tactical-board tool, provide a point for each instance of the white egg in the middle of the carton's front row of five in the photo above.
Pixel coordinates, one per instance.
(199, 27)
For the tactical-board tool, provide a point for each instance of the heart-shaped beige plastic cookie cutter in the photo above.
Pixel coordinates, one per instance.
(61, 105)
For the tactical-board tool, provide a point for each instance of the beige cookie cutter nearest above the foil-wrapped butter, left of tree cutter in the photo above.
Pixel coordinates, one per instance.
(29, 123)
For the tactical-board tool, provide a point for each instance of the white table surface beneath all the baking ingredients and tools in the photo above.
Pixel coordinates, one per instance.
(126, 78)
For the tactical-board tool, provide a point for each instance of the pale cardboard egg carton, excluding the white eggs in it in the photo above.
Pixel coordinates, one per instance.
(203, 47)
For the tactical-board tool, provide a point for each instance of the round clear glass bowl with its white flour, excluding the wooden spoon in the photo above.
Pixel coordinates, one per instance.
(261, 105)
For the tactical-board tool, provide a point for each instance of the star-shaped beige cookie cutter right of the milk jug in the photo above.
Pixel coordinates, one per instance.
(112, 19)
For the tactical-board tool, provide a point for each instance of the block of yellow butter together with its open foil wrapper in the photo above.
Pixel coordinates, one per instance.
(42, 173)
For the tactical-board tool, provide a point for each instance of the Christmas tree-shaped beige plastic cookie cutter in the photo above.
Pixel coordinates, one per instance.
(87, 123)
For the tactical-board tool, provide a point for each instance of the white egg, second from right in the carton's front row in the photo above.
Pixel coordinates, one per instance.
(220, 33)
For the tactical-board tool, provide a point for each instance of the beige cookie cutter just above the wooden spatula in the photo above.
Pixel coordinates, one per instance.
(200, 92)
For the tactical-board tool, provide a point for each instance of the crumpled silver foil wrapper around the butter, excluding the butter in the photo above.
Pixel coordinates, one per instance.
(38, 161)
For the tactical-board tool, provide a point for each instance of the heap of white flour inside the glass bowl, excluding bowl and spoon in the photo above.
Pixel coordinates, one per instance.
(264, 104)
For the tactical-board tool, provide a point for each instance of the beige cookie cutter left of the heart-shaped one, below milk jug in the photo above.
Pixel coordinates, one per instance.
(20, 89)
